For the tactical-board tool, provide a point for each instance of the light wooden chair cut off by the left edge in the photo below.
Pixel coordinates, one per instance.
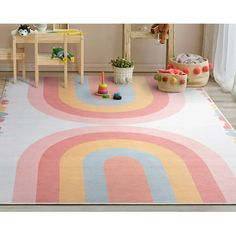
(7, 55)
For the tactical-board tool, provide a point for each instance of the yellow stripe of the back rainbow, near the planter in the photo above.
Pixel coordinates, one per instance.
(142, 90)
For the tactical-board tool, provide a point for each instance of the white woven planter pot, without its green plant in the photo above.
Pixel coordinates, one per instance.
(123, 75)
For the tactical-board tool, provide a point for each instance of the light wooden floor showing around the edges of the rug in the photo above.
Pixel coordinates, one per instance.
(226, 104)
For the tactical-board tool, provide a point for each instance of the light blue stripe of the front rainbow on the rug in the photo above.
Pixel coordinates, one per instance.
(95, 182)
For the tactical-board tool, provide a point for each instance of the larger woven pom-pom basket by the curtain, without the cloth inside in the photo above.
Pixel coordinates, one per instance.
(198, 74)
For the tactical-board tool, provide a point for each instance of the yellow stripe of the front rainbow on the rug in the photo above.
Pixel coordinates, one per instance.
(71, 169)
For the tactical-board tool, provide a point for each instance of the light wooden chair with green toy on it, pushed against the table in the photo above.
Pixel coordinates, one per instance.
(44, 59)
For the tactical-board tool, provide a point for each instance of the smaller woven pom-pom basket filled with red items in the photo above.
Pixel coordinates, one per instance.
(171, 80)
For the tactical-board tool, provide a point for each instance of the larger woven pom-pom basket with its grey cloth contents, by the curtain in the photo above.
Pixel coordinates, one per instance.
(196, 67)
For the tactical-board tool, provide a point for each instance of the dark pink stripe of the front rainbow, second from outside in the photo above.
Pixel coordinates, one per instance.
(48, 175)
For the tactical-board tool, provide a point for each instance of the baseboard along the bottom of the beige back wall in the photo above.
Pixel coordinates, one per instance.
(4, 67)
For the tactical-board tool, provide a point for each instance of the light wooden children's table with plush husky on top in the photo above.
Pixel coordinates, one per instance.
(50, 37)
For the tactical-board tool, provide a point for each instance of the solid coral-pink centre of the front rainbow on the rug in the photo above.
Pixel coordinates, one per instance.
(127, 183)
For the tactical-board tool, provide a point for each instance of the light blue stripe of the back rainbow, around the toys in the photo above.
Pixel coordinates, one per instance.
(84, 94)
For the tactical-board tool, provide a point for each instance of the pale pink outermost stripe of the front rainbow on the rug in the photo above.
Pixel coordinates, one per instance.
(26, 178)
